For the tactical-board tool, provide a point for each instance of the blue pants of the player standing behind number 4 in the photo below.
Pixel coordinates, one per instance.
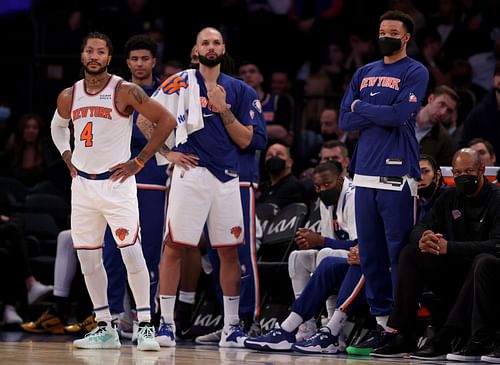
(152, 220)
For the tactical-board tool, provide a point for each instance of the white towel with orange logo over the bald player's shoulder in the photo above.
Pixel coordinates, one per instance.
(180, 94)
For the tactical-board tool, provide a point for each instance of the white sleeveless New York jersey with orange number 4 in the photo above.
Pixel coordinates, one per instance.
(102, 133)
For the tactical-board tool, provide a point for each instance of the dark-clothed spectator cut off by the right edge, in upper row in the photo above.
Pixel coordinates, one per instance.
(484, 120)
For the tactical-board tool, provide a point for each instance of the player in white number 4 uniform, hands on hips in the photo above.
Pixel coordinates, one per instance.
(104, 189)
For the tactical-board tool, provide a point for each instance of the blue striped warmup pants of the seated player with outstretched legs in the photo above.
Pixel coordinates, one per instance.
(332, 274)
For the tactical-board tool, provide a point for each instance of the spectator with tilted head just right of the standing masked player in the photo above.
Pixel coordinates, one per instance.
(433, 138)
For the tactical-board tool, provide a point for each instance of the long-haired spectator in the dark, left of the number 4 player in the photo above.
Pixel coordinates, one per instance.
(29, 152)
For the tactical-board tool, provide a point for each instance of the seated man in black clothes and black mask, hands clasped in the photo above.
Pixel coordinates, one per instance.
(463, 223)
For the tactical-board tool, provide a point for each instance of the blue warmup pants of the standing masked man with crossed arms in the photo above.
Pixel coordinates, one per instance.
(384, 219)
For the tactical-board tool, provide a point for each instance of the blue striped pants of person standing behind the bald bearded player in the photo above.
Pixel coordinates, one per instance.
(249, 285)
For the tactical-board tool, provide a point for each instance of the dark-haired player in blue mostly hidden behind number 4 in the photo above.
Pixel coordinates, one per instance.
(140, 51)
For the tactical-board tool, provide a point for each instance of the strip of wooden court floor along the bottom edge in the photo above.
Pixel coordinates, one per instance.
(19, 348)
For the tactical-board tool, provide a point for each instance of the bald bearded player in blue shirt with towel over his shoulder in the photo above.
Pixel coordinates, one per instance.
(209, 192)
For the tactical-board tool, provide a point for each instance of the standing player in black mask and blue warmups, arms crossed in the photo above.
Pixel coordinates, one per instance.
(381, 102)
